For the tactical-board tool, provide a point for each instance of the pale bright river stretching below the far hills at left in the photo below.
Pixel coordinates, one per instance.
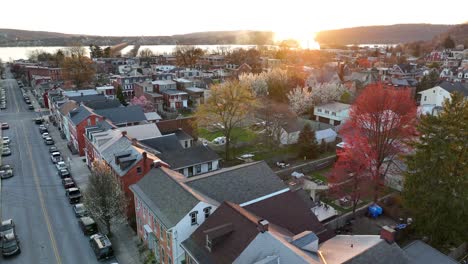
(16, 53)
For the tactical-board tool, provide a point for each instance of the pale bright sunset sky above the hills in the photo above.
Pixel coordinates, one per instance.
(298, 19)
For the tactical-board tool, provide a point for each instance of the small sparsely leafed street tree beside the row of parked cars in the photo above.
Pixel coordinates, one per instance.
(104, 196)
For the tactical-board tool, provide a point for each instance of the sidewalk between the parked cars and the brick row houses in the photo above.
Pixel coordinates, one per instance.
(124, 239)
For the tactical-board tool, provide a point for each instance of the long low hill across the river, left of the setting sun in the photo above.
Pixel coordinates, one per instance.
(15, 37)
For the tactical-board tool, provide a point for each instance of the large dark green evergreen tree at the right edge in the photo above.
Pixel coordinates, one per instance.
(436, 182)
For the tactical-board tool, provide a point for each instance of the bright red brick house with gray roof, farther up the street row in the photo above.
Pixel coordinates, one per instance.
(78, 120)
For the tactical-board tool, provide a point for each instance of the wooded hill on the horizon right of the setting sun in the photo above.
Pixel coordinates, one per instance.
(392, 34)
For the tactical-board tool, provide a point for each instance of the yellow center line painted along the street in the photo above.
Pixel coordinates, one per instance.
(41, 198)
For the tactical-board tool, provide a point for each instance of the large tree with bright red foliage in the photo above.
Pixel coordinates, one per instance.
(381, 122)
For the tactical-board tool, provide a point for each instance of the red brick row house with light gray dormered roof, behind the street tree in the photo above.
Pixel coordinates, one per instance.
(127, 162)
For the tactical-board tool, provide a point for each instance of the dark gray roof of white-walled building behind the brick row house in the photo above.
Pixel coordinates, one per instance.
(182, 158)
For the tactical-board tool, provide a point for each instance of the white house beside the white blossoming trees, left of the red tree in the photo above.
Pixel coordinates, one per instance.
(332, 113)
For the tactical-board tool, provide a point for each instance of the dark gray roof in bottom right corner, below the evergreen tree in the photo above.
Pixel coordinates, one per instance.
(421, 253)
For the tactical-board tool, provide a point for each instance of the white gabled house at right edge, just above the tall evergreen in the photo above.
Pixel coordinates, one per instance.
(435, 97)
